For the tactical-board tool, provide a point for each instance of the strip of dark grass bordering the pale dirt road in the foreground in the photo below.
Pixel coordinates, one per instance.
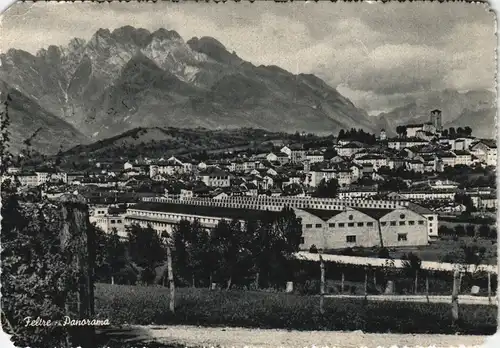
(123, 304)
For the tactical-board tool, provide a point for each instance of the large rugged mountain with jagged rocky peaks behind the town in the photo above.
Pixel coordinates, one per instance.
(129, 78)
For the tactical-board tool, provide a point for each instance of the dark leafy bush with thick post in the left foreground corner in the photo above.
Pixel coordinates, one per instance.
(39, 276)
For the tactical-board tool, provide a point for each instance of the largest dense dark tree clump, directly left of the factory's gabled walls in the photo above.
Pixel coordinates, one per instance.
(237, 254)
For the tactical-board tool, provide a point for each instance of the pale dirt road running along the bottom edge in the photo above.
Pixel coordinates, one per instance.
(192, 336)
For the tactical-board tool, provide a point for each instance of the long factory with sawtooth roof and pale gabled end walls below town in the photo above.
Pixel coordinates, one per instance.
(326, 223)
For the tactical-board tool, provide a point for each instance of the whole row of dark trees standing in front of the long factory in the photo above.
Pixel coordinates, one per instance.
(254, 253)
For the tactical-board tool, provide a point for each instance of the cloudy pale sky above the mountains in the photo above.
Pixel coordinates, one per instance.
(374, 54)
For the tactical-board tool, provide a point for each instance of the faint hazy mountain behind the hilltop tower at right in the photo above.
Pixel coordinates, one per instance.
(473, 108)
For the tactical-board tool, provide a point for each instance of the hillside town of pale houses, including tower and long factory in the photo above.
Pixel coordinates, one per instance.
(364, 188)
